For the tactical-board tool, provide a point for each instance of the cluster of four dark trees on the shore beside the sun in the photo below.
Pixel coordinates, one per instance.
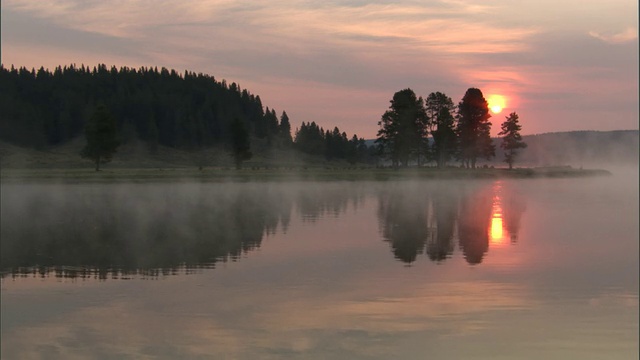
(461, 132)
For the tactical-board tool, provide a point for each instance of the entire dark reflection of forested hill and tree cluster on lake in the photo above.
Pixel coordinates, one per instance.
(114, 231)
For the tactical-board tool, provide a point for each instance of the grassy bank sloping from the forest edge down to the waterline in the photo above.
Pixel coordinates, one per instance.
(136, 163)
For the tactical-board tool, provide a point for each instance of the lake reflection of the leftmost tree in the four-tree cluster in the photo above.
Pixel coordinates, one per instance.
(403, 216)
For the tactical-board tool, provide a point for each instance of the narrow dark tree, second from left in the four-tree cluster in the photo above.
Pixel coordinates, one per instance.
(439, 108)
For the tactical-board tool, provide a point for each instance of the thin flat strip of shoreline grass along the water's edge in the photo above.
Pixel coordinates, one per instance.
(277, 174)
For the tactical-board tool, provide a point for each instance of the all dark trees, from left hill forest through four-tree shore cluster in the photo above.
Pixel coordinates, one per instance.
(113, 106)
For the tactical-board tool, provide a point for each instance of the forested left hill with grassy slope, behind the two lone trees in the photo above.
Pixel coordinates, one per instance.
(43, 112)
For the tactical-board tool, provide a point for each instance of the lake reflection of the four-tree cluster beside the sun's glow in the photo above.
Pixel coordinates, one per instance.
(427, 218)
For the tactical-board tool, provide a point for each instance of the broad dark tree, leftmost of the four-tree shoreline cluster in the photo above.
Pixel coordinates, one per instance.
(403, 127)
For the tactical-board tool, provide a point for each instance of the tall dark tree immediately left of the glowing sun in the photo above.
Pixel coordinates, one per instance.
(474, 128)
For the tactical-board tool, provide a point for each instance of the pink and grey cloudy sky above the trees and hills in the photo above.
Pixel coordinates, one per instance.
(561, 65)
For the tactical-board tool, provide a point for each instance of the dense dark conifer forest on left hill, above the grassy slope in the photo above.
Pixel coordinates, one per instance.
(42, 108)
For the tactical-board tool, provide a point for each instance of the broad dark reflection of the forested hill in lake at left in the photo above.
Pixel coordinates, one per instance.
(111, 230)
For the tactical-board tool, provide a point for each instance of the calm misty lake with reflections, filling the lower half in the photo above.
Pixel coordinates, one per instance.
(511, 269)
